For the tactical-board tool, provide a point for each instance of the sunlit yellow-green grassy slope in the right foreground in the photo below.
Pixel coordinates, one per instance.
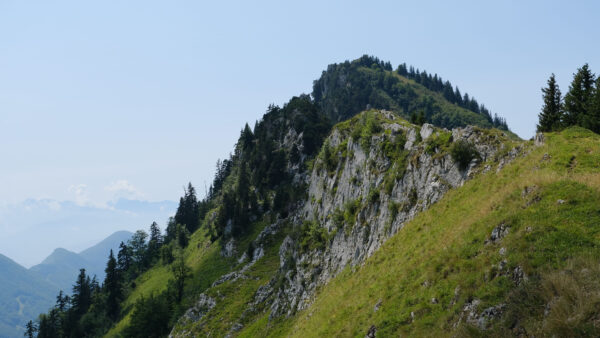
(557, 245)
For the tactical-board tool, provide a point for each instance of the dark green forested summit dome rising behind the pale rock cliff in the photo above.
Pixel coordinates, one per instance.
(347, 88)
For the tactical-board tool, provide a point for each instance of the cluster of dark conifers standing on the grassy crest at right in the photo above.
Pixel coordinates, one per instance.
(579, 107)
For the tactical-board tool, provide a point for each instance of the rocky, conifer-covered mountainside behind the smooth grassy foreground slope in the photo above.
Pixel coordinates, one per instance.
(297, 202)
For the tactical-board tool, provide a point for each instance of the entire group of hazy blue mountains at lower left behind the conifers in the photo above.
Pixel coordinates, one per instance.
(24, 294)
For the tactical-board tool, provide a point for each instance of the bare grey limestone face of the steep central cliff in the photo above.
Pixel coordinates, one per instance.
(383, 211)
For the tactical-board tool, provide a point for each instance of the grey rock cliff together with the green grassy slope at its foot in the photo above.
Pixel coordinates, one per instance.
(374, 173)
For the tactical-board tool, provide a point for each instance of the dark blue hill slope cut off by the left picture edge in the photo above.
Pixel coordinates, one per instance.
(23, 295)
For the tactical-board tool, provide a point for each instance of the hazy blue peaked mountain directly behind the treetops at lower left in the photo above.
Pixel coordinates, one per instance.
(62, 266)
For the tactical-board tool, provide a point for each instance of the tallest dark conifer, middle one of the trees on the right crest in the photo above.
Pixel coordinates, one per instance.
(579, 96)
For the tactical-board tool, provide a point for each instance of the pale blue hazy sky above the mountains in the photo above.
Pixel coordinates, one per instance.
(108, 100)
